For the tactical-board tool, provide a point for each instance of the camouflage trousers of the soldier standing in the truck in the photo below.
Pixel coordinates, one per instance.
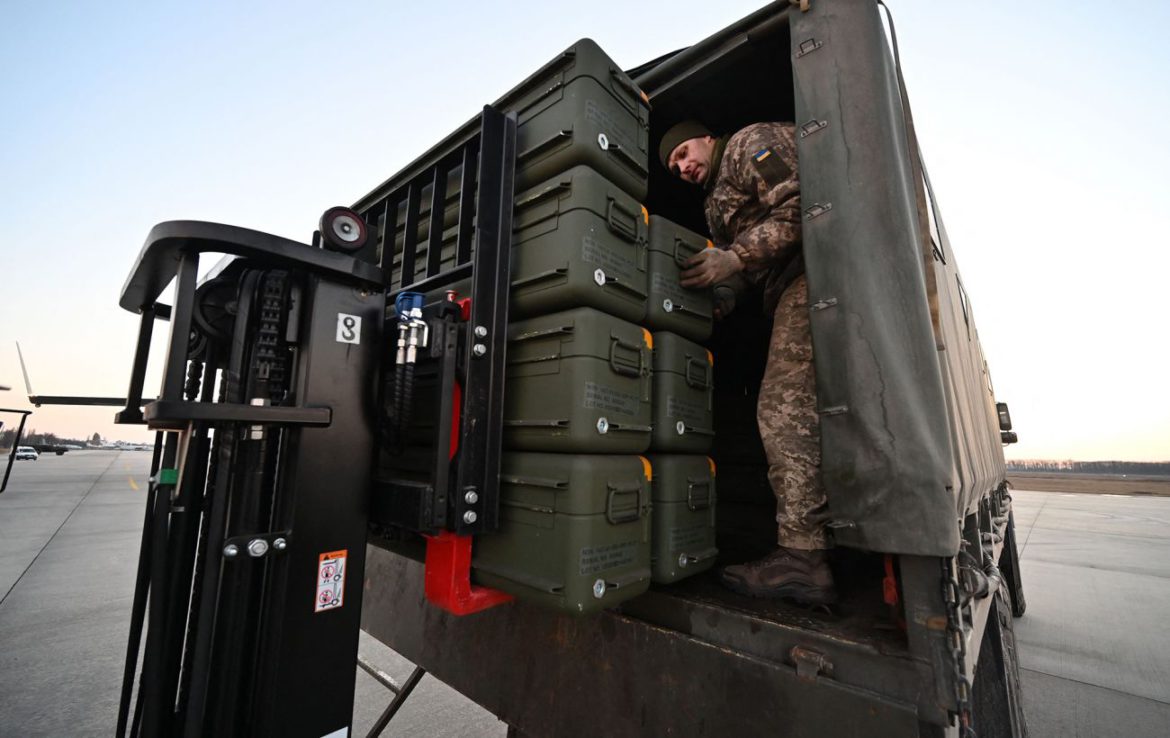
(789, 425)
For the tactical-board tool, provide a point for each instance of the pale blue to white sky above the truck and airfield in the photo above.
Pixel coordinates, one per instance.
(1043, 127)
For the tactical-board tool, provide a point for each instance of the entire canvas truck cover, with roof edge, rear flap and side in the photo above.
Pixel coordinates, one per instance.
(904, 431)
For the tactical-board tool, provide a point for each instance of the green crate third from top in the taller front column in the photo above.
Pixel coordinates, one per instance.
(577, 382)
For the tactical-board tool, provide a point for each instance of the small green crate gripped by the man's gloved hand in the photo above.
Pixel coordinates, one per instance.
(671, 307)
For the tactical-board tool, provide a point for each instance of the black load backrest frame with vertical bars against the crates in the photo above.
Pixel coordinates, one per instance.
(471, 354)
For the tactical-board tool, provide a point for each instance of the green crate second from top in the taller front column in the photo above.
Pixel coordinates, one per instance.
(579, 240)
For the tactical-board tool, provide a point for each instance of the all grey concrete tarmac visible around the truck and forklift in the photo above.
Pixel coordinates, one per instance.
(1095, 651)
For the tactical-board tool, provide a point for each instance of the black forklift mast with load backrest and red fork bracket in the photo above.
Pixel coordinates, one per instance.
(271, 420)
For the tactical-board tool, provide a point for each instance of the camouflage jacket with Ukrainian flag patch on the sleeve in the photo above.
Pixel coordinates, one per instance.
(754, 205)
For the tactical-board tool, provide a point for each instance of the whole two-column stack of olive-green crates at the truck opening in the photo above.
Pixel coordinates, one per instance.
(588, 388)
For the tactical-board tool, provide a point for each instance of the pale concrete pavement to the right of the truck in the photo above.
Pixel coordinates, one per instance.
(1095, 647)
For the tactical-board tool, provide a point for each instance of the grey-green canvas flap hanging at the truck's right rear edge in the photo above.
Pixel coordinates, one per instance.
(887, 458)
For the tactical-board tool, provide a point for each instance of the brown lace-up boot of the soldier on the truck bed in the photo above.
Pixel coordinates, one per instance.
(787, 574)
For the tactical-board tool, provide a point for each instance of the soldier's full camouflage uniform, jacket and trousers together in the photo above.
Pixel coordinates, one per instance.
(754, 209)
